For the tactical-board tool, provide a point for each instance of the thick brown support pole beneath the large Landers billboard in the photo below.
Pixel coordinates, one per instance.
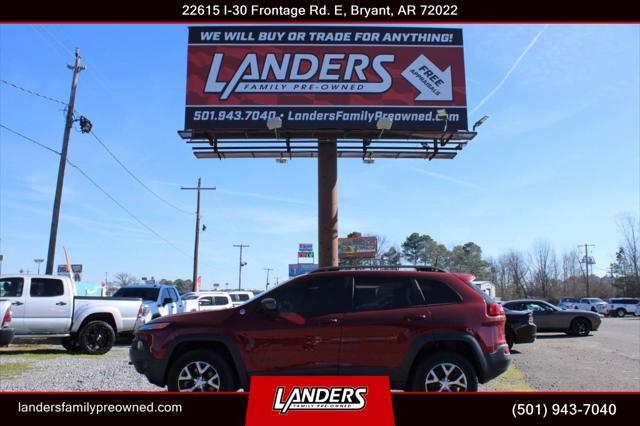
(327, 203)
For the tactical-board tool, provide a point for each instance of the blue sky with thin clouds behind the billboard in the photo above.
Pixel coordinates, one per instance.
(557, 160)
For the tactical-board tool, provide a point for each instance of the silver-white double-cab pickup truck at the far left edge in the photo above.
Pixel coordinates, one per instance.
(46, 306)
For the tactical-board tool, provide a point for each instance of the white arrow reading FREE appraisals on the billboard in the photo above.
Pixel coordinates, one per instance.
(433, 83)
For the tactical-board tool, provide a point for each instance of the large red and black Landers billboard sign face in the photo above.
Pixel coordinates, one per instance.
(324, 77)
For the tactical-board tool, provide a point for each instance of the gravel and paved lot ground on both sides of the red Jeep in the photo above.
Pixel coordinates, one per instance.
(607, 360)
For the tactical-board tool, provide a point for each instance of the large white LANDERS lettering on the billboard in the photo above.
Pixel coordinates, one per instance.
(302, 73)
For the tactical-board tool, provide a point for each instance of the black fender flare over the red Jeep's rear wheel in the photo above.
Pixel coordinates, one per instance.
(421, 341)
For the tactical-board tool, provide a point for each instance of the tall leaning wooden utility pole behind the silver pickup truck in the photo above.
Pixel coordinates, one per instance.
(63, 162)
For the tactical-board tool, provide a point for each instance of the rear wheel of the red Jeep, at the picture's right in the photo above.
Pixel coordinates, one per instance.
(444, 372)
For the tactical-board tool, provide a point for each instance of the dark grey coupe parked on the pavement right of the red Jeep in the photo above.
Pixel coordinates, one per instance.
(551, 318)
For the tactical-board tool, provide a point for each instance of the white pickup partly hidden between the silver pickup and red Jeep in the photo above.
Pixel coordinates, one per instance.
(158, 300)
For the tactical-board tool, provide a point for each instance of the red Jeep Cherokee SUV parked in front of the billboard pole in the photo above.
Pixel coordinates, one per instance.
(427, 330)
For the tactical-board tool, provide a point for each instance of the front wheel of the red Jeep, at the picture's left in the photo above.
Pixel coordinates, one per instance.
(201, 371)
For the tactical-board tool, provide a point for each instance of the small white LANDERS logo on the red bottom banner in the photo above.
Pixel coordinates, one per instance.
(320, 398)
